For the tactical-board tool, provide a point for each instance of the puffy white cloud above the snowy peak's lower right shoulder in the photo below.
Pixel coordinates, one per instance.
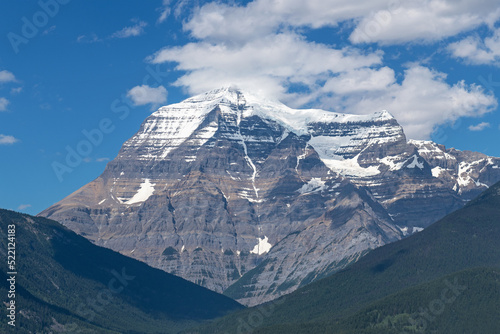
(420, 103)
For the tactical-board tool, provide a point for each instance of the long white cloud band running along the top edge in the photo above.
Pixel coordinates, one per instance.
(382, 21)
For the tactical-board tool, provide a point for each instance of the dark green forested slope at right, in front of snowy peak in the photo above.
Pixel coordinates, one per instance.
(445, 279)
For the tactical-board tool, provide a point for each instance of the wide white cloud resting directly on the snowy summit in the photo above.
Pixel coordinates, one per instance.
(265, 65)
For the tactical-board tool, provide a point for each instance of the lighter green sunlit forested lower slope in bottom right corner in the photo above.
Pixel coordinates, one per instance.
(464, 302)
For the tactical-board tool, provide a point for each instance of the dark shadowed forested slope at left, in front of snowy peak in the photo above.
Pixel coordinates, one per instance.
(66, 284)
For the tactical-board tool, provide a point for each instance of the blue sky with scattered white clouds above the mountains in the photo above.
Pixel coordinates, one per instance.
(76, 72)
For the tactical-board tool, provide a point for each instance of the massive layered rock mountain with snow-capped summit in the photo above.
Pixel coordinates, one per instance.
(245, 195)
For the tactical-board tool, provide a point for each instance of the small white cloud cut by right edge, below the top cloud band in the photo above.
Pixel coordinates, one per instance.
(475, 50)
